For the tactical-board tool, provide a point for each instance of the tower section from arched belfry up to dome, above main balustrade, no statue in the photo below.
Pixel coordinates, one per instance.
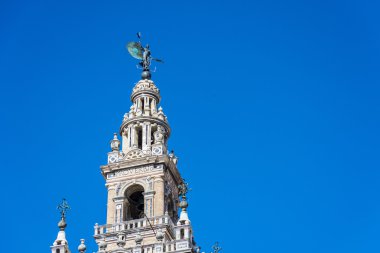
(141, 177)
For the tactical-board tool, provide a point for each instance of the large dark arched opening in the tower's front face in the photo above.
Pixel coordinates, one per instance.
(134, 209)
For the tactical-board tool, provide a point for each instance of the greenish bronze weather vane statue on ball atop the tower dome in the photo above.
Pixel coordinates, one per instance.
(137, 51)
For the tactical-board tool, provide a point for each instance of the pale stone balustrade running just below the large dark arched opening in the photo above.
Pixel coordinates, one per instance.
(133, 225)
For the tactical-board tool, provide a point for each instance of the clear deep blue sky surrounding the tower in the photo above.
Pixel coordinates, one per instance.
(274, 107)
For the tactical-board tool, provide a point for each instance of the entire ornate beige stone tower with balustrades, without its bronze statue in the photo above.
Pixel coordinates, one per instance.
(145, 188)
